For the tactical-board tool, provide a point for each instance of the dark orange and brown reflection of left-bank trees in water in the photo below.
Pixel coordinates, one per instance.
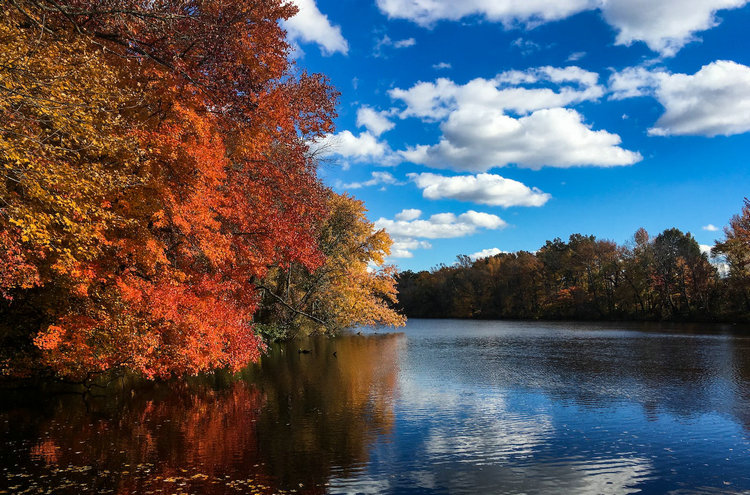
(286, 423)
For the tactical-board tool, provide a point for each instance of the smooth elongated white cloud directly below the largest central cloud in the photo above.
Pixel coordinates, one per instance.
(487, 189)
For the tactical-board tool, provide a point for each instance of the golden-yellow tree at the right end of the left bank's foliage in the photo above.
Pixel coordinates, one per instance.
(352, 287)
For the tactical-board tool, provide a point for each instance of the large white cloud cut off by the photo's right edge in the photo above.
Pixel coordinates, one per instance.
(713, 101)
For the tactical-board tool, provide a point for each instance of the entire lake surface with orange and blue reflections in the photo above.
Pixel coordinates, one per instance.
(445, 407)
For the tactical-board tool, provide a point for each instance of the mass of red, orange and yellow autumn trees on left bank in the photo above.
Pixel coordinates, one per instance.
(160, 209)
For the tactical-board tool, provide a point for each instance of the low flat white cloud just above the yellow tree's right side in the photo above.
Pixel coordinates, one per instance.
(441, 225)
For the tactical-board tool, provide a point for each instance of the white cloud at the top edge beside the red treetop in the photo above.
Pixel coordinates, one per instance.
(310, 25)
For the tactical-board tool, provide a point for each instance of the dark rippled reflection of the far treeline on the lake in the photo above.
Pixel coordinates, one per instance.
(681, 374)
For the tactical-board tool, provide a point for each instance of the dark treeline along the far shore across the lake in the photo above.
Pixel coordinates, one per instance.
(665, 277)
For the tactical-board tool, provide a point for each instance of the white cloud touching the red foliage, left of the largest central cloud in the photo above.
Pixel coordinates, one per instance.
(362, 148)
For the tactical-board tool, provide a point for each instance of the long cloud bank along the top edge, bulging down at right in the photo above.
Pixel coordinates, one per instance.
(665, 26)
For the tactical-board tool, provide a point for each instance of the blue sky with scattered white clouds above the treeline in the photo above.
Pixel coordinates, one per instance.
(485, 125)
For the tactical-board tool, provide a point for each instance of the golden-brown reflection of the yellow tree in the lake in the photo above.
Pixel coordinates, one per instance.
(322, 410)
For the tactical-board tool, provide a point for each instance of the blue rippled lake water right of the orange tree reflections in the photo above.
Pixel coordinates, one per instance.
(542, 408)
